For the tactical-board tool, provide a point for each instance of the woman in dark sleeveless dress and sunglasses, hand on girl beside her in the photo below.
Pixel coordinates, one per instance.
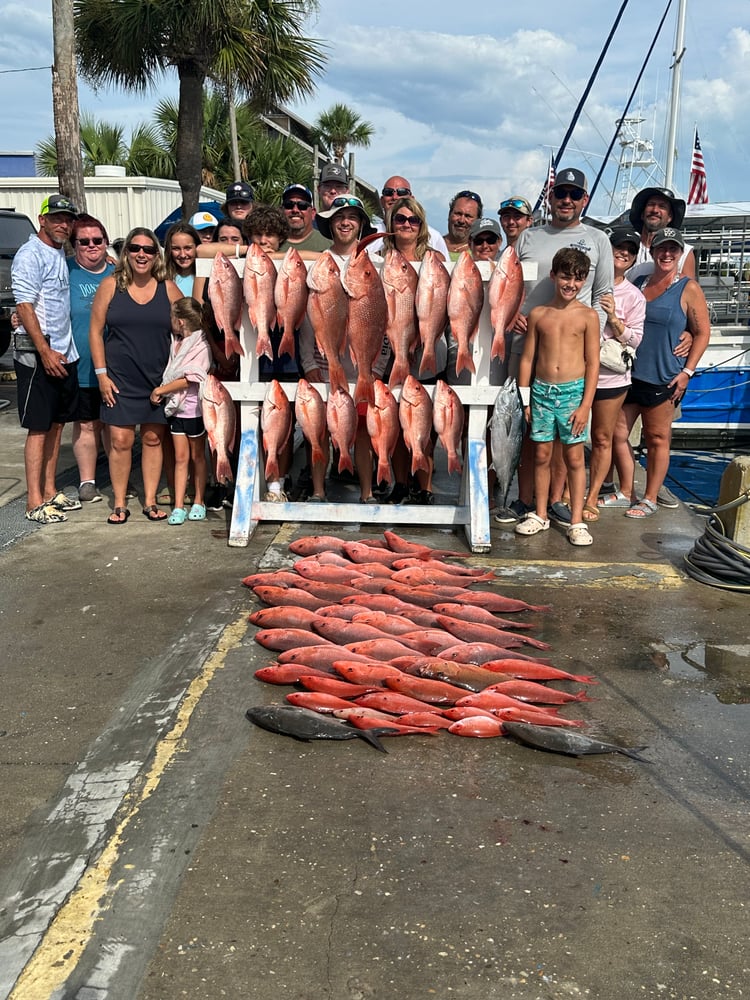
(133, 306)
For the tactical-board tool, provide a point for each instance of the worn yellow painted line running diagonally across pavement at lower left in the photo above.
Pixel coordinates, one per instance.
(68, 934)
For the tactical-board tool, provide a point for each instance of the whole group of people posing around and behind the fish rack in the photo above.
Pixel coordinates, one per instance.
(106, 342)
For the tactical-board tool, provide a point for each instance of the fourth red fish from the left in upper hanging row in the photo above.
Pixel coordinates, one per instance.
(327, 310)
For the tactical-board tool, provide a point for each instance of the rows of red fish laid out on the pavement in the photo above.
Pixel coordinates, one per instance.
(390, 638)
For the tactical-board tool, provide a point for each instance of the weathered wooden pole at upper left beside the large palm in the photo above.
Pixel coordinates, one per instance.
(65, 105)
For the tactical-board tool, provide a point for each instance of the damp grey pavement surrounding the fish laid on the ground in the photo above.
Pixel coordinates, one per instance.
(155, 845)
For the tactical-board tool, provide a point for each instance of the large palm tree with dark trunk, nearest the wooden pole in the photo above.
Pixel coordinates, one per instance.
(257, 43)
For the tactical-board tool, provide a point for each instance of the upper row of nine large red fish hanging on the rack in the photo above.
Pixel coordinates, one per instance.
(362, 305)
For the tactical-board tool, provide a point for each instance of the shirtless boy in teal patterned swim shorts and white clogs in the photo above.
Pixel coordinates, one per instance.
(562, 351)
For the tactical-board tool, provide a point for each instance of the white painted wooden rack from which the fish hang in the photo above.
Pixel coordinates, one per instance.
(472, 509)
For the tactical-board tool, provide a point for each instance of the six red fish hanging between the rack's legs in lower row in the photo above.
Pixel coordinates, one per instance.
(415, 415)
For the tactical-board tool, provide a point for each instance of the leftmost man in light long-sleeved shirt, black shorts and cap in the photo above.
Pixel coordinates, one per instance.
(45, 356)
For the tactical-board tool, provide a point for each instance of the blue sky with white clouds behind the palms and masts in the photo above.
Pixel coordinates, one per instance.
(474, 97)
